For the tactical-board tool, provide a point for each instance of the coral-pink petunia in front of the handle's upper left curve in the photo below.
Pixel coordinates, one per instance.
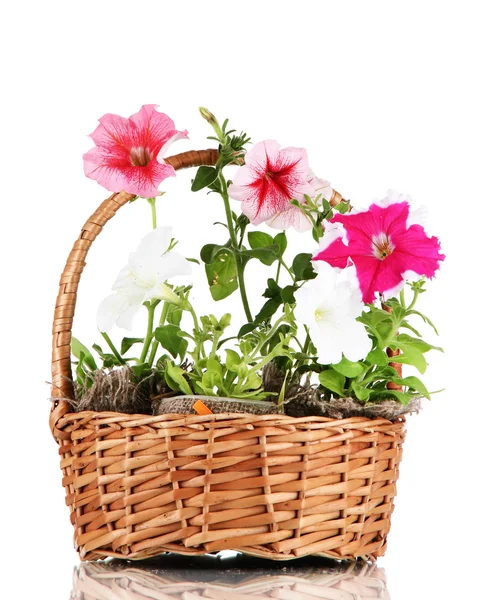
(128, 152)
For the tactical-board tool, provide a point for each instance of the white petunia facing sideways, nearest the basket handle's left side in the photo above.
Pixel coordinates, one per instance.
(144, 278)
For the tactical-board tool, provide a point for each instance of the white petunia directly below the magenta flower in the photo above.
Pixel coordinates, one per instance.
(329, 305)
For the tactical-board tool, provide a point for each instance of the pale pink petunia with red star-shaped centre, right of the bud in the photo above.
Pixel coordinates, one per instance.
(270, 178)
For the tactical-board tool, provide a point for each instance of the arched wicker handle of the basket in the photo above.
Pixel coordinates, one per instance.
(62, 384)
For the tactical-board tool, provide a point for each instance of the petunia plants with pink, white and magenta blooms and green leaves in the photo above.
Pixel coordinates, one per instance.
(339, 321)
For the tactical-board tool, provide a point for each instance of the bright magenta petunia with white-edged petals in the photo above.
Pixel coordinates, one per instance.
(383, 243)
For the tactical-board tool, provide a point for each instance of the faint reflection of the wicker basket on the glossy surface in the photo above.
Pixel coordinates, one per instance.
(229, 579)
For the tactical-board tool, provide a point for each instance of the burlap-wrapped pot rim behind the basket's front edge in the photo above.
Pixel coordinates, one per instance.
(185, 405)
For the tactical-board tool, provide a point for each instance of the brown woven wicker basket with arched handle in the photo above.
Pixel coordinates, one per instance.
(267, 485)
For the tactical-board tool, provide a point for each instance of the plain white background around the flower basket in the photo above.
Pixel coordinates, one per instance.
(382, 94)
